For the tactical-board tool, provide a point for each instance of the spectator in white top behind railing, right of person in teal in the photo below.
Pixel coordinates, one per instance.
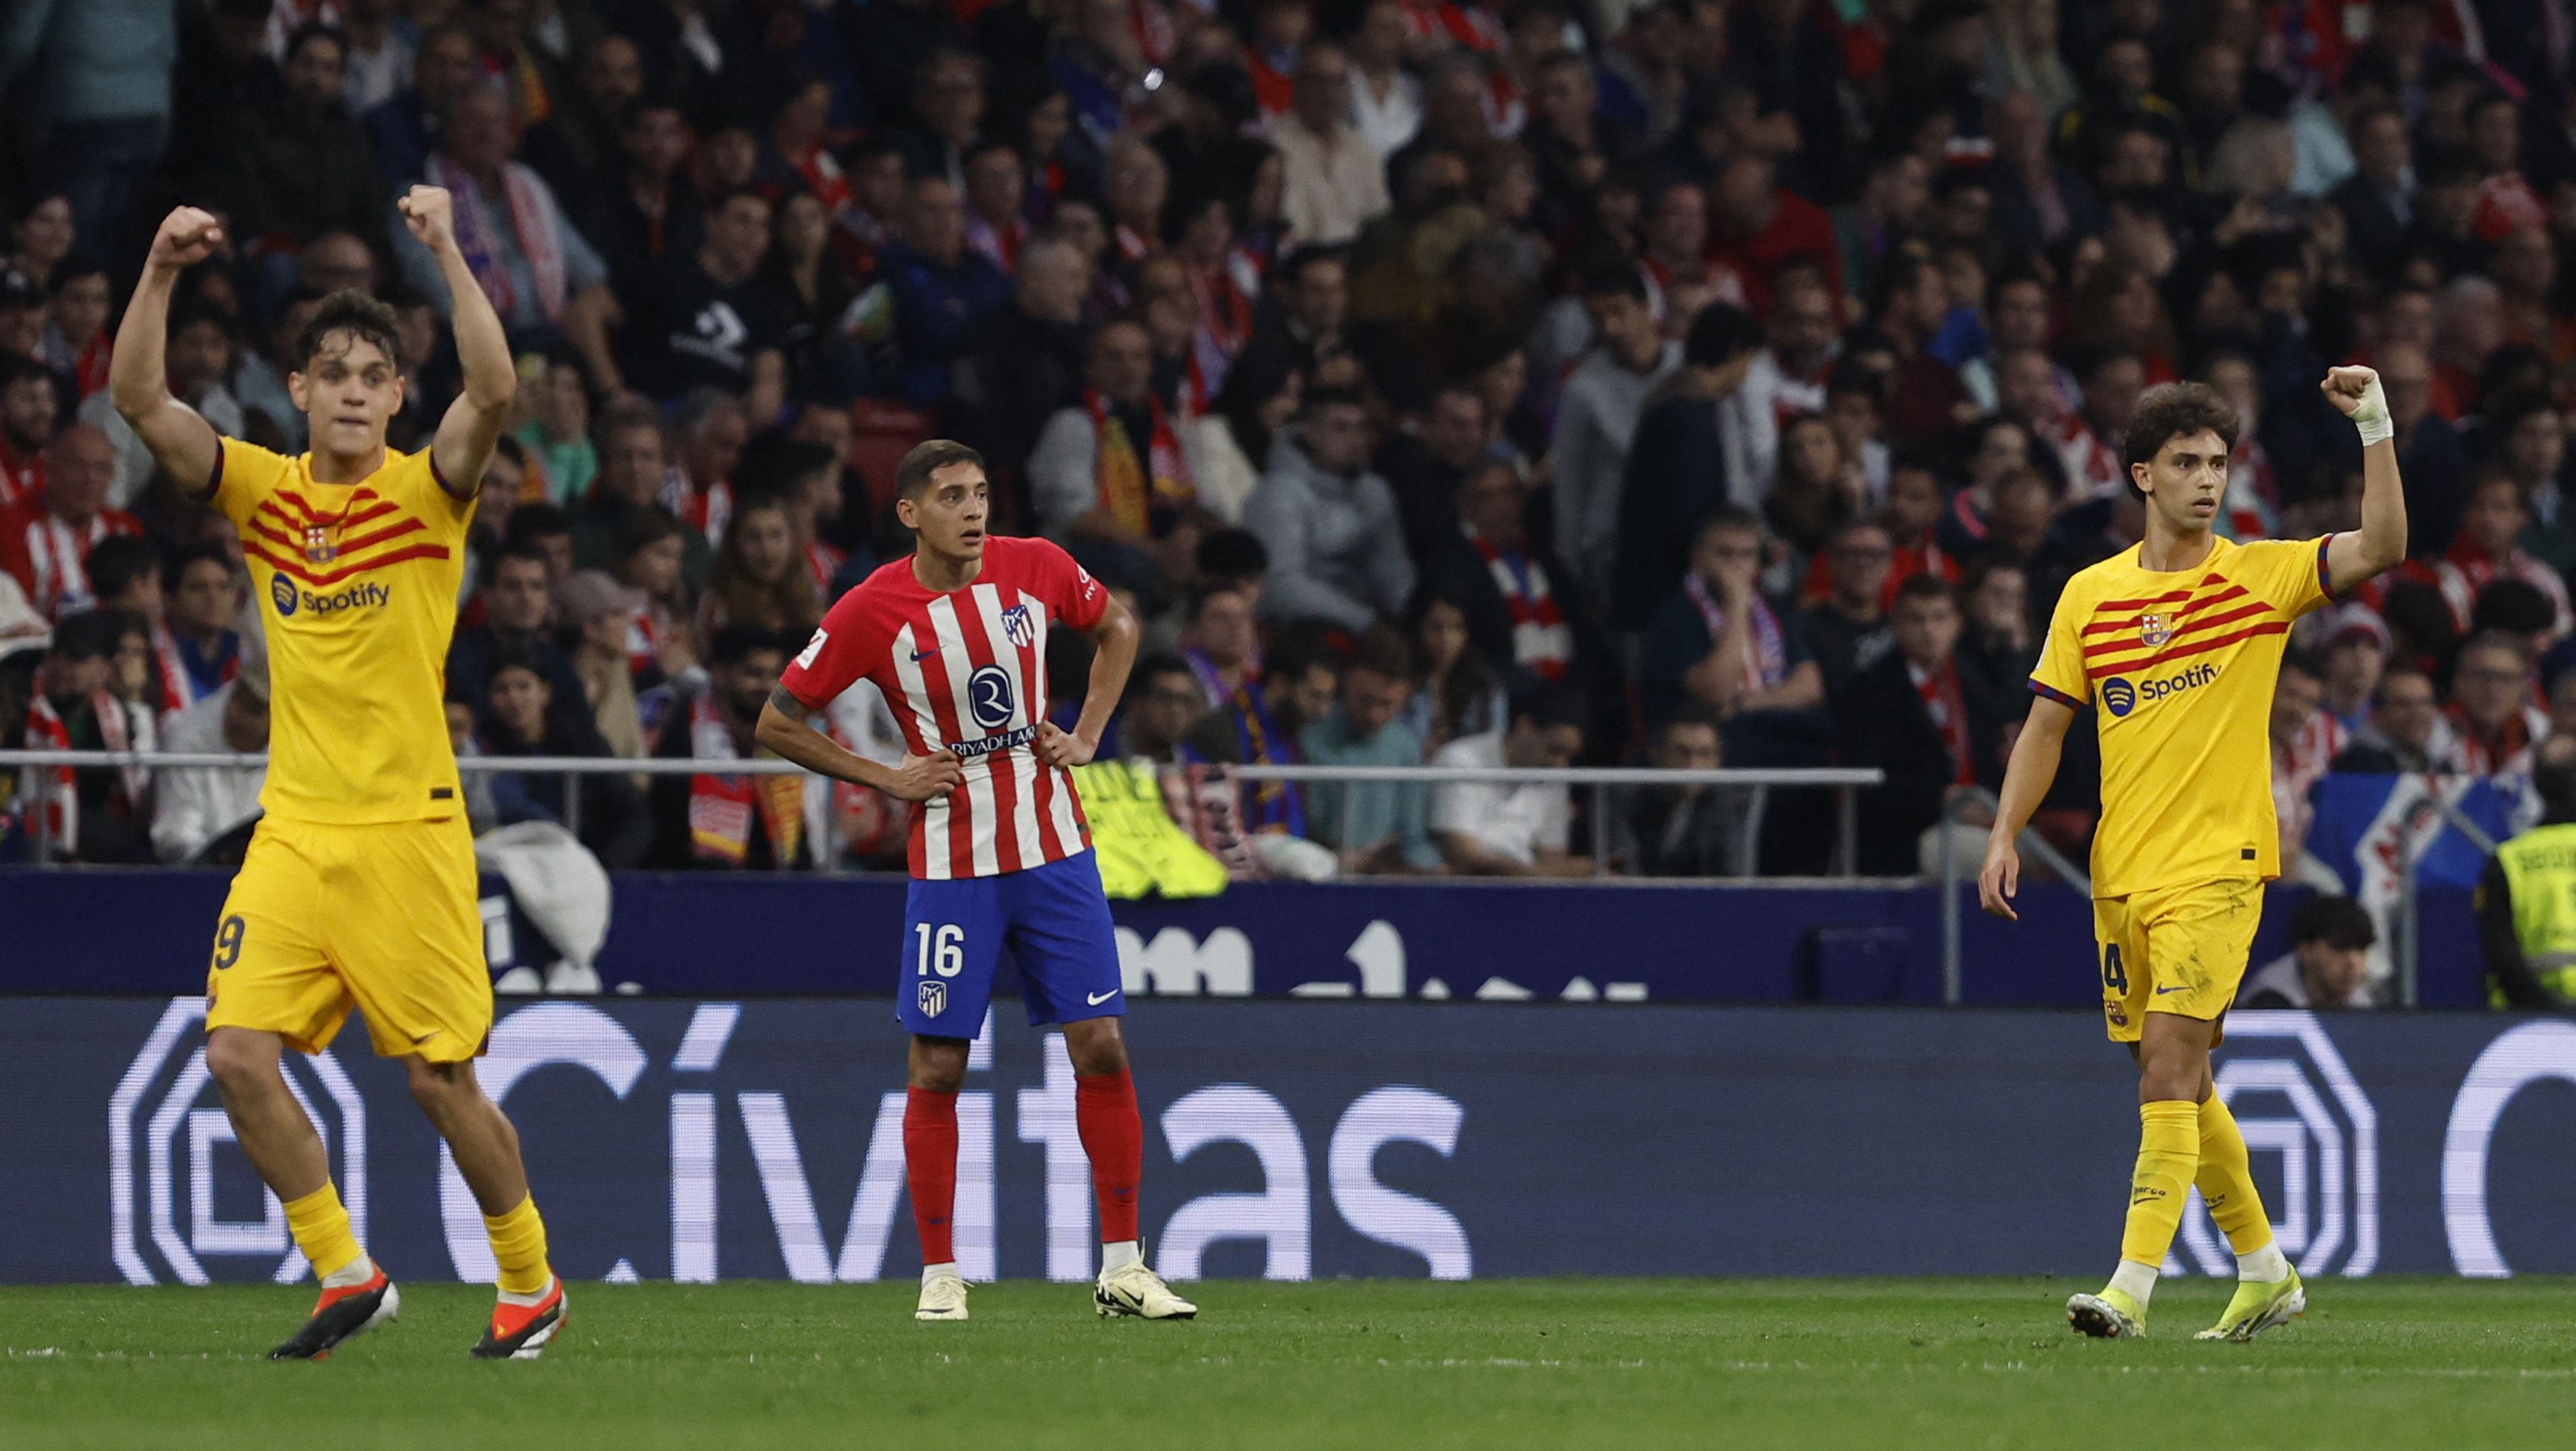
(1524, 829)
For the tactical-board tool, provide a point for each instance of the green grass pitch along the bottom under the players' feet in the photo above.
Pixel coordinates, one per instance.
(1377, 1365)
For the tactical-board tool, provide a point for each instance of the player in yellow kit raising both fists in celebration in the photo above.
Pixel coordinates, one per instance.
(359, 885)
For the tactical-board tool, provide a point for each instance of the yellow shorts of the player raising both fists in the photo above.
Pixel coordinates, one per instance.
(377, 919)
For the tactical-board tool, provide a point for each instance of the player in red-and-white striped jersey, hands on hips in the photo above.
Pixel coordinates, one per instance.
(1001, 852)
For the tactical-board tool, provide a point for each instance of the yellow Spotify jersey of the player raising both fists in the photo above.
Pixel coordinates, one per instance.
(357, 591)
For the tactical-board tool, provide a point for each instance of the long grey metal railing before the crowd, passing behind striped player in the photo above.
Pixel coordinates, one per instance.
(1598, 780)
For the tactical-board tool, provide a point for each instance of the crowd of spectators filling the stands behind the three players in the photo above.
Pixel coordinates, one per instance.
(1668, 383)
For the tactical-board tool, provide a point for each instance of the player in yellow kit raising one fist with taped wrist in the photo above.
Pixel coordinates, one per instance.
(2181, 643)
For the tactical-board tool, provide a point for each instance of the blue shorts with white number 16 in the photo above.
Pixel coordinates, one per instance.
(1057, 927)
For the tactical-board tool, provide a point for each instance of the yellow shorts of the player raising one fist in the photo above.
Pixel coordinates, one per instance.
(2175, 950)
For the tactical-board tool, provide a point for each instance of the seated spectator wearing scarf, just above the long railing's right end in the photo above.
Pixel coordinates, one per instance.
(1719, 643)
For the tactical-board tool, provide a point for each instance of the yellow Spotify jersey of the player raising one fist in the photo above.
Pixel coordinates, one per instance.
(2183, 666)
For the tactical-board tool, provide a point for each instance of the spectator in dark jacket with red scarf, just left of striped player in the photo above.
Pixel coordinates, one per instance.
(725, 818)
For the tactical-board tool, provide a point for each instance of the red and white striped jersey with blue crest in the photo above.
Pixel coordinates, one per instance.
(967, 671)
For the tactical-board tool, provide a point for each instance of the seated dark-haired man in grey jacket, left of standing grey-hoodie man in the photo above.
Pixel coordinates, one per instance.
(1331, 524)
